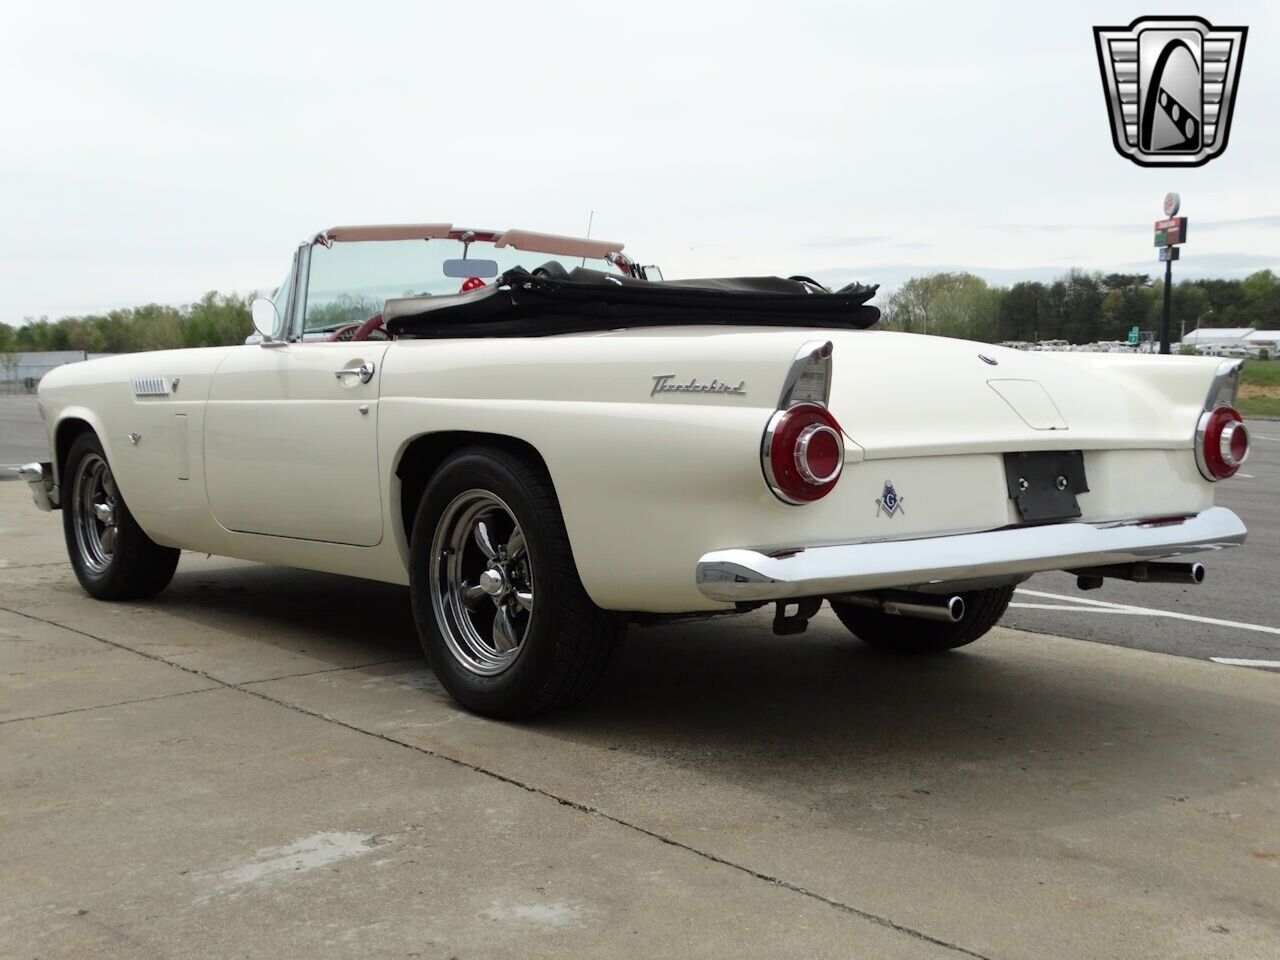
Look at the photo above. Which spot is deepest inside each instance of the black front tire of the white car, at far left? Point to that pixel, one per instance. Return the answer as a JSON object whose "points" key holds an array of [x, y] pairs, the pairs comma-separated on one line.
{"points": [[135, 566]]}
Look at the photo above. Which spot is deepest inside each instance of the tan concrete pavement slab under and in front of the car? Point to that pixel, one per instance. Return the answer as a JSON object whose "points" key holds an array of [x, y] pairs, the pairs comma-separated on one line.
{"points": [[258, 764]]}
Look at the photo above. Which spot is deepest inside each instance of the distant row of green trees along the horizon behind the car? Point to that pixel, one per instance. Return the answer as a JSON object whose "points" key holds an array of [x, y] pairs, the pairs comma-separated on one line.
{"points": [[1080, 308]]}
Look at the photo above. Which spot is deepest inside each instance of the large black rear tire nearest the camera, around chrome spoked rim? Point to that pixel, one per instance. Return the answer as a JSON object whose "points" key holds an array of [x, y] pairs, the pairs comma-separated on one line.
{"points": [[566, 639]]}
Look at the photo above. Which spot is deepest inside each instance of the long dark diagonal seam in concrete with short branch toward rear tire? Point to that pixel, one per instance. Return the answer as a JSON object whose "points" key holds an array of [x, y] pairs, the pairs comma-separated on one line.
{"points": [[532, 789]]}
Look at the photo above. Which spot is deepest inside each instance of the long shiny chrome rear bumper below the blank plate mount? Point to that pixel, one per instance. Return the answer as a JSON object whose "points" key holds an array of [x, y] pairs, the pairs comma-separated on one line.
{"points": [[822, 572]]}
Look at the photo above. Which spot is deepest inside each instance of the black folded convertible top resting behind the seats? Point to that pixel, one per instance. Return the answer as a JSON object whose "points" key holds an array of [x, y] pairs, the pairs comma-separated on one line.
{"points": [[520, 304]]}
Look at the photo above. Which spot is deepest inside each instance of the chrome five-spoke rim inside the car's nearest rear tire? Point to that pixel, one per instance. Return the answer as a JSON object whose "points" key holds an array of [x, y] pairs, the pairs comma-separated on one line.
{"points": [[482, 583]]}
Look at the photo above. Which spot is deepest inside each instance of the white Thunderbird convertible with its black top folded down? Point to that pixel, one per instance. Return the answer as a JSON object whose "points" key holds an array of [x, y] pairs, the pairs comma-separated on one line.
{"points": [[545, 444]]}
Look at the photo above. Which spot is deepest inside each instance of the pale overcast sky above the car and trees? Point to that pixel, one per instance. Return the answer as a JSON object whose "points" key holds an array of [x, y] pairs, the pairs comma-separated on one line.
{"points": [[154, 153]]}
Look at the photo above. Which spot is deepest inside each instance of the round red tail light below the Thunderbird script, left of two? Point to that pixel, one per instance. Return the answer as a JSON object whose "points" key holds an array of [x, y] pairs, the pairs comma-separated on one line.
{"points": [[803, 454]]}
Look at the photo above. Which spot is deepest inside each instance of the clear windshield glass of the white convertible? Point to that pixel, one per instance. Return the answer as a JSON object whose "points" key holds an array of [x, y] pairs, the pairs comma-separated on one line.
{"points": [[350, 282]]}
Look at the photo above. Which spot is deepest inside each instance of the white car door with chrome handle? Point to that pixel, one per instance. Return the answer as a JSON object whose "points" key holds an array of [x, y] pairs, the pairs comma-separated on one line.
{"points": [[291, 442]]}
